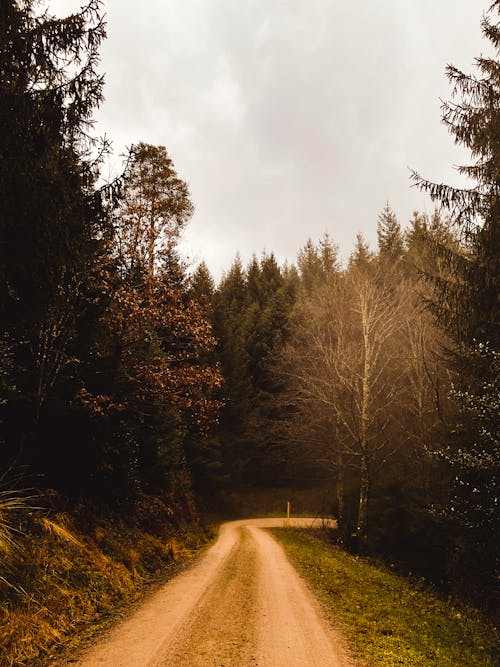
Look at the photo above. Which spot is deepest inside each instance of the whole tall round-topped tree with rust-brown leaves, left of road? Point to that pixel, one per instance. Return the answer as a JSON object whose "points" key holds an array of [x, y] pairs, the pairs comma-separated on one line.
{"points": [[158, 344]]}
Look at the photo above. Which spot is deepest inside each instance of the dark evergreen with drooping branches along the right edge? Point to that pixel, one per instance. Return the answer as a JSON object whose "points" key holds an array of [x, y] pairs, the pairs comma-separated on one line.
{"points": [[466, 304]]}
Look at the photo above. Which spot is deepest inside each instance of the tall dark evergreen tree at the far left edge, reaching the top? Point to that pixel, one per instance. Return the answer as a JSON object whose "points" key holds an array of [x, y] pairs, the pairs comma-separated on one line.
{"points": [[52, 225]]}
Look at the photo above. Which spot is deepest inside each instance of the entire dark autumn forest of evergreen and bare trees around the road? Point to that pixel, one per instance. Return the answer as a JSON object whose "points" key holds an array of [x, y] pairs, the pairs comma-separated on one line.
{"points": [[132, 382]]}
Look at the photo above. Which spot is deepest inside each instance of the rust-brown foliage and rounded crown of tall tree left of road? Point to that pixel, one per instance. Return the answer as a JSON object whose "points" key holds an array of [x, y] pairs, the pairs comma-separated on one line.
{"points": [[157, 336]]}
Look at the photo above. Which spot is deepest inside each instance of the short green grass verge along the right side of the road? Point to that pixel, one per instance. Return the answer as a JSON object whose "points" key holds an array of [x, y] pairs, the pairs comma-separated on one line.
{"points": [[388, 621]]}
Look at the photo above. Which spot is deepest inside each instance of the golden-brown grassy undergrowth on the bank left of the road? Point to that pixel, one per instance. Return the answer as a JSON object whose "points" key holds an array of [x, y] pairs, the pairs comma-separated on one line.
{"points": [[72, 570]]}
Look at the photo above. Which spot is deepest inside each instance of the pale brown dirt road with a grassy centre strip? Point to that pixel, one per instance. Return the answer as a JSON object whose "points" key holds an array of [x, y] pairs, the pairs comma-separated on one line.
{"points": [[241, 605]]}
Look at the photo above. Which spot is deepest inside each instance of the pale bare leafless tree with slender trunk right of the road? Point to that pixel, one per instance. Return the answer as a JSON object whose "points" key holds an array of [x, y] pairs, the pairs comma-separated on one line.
{"points": [[344, 361]]}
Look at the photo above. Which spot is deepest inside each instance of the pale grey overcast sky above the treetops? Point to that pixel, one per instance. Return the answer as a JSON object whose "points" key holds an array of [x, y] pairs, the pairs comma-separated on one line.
{"points": [[287, 117]]}
